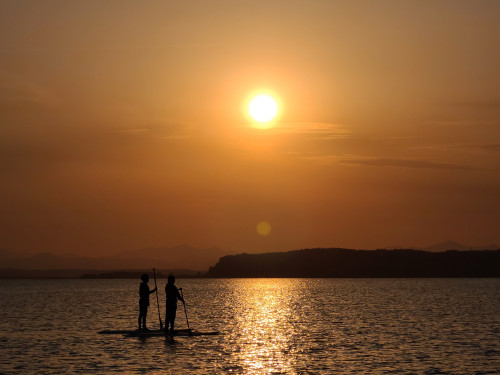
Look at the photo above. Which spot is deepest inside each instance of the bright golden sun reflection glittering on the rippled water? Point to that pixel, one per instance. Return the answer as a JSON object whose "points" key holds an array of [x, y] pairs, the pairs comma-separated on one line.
{"points": [[267, 324]]}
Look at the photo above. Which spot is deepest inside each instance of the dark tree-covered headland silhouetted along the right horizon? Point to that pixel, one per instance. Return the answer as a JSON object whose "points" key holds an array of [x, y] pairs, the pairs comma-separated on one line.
{"points": [[360, 263]]}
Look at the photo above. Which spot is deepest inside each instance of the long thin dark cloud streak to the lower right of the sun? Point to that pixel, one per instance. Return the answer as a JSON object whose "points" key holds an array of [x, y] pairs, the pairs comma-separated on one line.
{"points": [[390, 162]]}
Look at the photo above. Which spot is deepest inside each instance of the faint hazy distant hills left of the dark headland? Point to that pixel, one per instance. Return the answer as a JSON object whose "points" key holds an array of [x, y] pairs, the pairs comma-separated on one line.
{"points": [[169, 258]]}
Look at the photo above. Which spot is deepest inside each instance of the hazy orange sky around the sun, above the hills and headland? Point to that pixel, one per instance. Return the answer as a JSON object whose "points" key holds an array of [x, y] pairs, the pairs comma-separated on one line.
{"points": [[123, 124]]}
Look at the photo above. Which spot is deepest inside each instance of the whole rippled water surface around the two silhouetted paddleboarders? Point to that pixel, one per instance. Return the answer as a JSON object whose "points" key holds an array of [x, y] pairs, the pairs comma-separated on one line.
{"points": [[268, 326]]}
